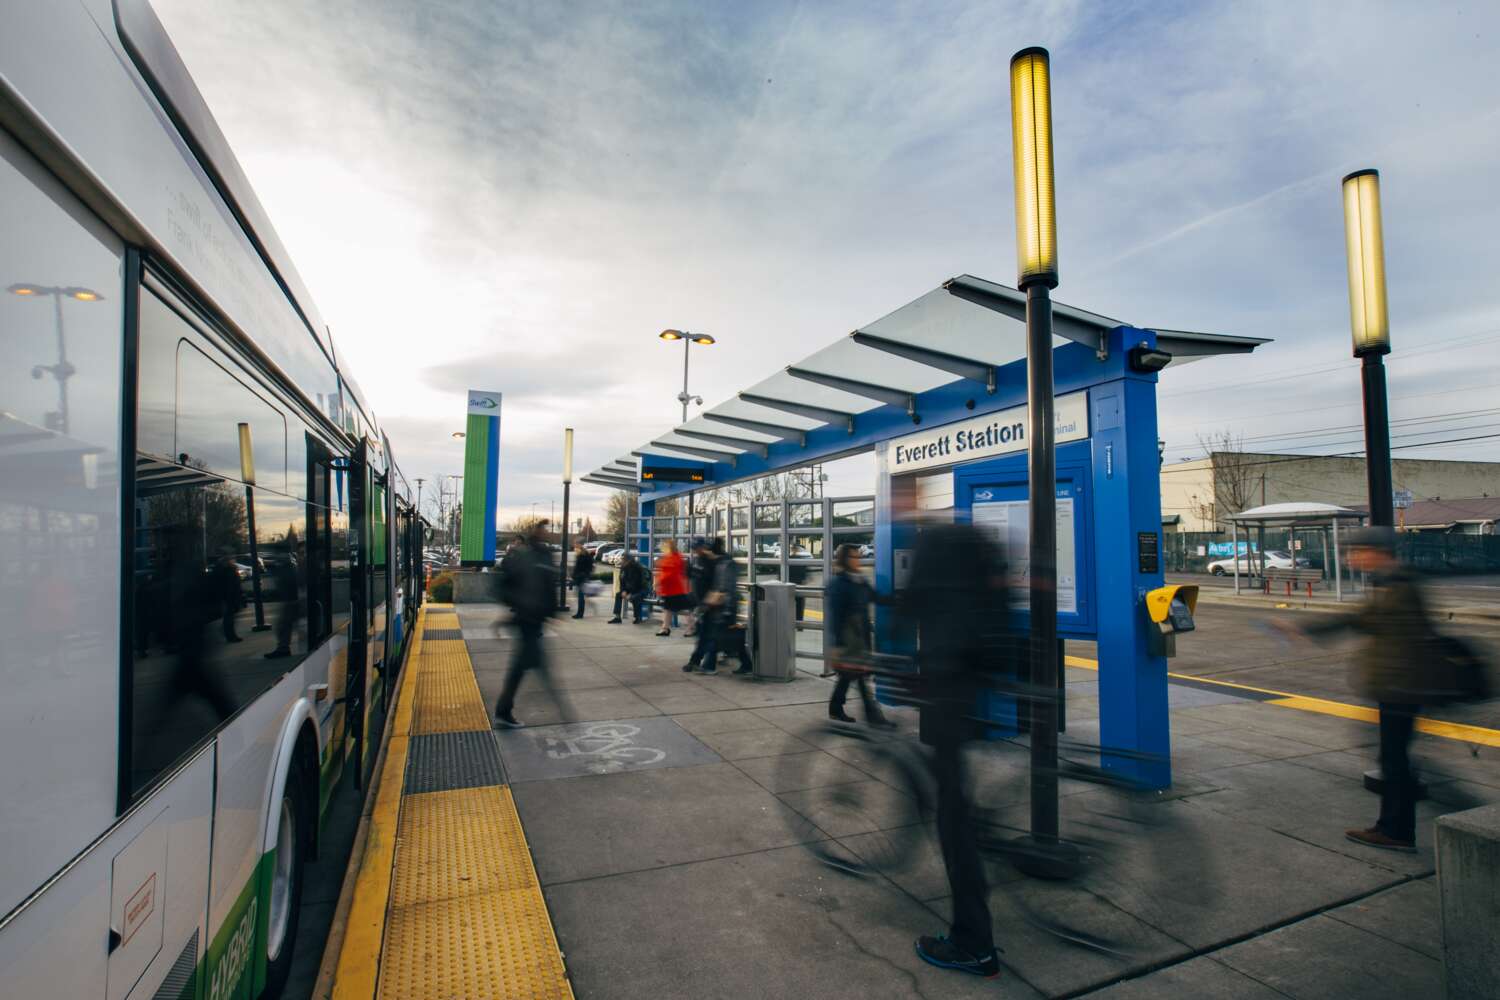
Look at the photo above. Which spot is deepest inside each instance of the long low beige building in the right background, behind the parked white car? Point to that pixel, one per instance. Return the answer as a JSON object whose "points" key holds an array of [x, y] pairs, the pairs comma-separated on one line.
{"points": [[1198, 496]]}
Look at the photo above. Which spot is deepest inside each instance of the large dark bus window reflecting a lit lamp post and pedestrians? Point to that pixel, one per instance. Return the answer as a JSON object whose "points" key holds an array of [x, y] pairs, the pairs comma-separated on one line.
{"points": [[220, 584]]}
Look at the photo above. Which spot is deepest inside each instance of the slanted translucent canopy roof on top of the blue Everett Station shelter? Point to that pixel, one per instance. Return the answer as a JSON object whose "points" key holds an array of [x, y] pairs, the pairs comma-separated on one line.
{"points": [[965, 329]]}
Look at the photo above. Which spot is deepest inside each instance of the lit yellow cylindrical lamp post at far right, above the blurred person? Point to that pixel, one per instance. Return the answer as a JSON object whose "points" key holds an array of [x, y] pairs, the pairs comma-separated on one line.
{"points": [[1370, 326]]}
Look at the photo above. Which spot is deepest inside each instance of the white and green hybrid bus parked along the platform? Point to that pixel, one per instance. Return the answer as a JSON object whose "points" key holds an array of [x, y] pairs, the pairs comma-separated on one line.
{"points": [[208, 554]]}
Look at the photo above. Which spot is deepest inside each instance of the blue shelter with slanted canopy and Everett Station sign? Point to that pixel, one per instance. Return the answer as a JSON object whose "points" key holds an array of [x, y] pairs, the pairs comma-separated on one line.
{"points": [[938, 392]]}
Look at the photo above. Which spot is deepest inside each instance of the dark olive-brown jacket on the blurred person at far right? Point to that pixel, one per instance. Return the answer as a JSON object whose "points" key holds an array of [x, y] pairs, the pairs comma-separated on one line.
{"points": [[1399, 639]]}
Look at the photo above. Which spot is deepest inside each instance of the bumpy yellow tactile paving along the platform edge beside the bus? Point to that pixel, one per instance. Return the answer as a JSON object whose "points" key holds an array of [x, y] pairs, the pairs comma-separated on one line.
{"points": [[460, 905]]}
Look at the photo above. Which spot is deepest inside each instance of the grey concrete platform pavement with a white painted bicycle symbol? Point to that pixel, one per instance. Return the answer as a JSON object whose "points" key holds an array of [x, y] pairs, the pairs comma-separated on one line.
{"points": [[670, 824]]}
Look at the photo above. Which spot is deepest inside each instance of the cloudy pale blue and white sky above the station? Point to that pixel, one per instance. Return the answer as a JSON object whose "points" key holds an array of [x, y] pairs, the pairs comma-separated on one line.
{"points": [[520, 196]]}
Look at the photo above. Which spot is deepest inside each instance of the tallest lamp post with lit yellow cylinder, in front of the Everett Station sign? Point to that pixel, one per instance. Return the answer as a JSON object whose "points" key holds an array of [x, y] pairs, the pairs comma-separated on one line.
{"points": [[1037, 275]]}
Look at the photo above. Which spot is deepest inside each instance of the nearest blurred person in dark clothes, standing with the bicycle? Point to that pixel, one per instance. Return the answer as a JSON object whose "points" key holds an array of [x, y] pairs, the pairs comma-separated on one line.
{"points": [[958, 597]]}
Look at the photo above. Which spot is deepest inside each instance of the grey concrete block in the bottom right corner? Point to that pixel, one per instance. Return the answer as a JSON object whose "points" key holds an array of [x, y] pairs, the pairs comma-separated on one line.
{"points": [[1469, 891]]}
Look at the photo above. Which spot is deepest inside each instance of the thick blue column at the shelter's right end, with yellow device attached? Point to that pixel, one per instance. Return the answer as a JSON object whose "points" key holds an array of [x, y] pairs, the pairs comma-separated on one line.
{"points": [[1127, 512]]}
